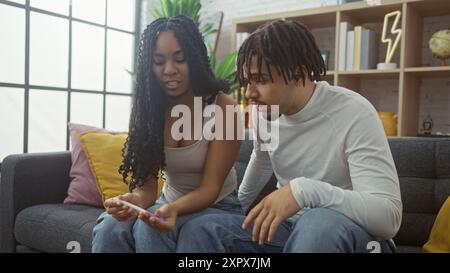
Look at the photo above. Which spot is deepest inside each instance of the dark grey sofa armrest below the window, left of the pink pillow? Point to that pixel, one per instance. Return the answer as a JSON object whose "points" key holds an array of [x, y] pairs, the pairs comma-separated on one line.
{"points": [[27, 180]]}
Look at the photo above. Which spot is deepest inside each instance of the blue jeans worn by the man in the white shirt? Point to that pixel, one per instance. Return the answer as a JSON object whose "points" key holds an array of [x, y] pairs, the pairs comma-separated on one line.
{"points": [[317, 230]]}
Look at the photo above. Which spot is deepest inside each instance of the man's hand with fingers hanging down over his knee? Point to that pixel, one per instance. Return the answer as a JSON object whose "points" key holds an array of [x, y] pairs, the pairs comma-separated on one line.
{"points": [[270, 213]]}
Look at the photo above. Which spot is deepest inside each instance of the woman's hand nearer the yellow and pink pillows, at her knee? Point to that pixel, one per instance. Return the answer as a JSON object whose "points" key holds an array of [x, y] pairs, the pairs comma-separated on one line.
{"points": [[119, 210]]}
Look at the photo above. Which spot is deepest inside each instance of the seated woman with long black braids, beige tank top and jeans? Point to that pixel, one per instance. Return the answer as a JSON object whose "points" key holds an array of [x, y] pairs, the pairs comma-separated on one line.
{"points": [[173, 71]]}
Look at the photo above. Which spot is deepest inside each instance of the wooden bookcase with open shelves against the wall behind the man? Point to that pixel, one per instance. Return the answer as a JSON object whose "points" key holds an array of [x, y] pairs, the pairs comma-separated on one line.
{"points": [[419, 20]]}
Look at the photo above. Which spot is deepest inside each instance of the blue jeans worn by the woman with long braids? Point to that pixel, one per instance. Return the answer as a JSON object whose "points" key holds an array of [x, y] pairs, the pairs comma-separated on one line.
{"points": [[133, 235]]}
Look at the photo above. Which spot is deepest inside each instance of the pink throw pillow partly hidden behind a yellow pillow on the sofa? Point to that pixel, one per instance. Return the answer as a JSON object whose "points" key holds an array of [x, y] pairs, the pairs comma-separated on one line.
{"points": [[82, 188]]}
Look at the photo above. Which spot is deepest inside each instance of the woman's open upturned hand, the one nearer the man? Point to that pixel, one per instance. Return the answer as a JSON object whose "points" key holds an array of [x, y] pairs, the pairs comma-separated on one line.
{"points": [[167, 212]]}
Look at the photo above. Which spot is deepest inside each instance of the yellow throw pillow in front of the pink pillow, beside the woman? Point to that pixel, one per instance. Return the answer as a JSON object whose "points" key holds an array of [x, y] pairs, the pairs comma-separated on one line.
{"points": [[104, 153]]}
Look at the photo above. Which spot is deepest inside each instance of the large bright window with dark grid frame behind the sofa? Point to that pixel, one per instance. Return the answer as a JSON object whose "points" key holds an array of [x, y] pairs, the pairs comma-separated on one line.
{"points": [[61, 61]]}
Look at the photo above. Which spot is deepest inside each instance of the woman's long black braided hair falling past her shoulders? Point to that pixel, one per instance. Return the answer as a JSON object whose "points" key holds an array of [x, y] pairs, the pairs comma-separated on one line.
{"points": [[143, 152]]}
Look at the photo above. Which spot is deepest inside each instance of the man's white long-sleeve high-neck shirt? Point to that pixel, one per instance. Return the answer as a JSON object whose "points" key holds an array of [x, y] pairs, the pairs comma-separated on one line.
{"points": [[334, 154]]}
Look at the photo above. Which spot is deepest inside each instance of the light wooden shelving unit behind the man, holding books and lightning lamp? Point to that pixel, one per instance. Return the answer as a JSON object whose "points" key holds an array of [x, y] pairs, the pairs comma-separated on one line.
{"points": [[410, 71]]}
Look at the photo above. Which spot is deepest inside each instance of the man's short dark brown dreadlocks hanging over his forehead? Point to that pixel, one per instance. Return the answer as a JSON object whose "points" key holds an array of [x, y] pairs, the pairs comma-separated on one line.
{"points": [[286, 45]]}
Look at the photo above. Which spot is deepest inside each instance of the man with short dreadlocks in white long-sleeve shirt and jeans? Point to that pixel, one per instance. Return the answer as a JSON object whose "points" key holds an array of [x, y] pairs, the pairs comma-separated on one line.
{"points": [[338, 188]]}
